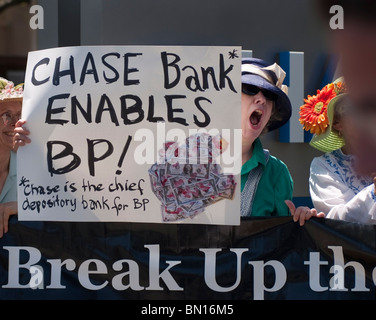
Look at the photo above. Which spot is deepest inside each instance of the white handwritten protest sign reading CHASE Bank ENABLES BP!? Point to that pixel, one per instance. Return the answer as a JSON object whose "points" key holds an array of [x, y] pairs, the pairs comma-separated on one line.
{"points": [[141, 134]]}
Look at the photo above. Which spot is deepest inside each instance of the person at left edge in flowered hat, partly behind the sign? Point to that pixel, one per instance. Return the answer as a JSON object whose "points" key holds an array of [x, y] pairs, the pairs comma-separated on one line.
{"points": [[10, 113]]}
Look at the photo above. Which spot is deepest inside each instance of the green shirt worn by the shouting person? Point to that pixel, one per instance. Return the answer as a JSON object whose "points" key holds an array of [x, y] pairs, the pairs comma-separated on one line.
{"points": [[274, 187]]}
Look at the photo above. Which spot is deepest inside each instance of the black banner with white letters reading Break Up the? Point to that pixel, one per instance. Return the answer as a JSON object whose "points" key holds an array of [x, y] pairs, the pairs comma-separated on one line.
{"points": [[262, 259]]}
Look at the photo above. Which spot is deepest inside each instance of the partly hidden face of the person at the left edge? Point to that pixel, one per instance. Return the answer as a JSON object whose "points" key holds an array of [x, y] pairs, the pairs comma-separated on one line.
{"points": [[10, 113]]}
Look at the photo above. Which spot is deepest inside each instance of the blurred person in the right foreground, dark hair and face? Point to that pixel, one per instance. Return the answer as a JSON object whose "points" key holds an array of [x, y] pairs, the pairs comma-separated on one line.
{"points": [[355, 44]]}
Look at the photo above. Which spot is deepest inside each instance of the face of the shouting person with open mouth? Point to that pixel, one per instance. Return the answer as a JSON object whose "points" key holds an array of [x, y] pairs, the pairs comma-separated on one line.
{"points": [[255, 112]]}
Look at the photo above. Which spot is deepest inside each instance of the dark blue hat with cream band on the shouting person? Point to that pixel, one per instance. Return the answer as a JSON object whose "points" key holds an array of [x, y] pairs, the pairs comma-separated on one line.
{"points": [[259, 73]]}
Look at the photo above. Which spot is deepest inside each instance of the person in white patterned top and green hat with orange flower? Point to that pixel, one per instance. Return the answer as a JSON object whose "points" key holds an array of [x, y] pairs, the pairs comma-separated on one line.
{"points": [[337, 190]]}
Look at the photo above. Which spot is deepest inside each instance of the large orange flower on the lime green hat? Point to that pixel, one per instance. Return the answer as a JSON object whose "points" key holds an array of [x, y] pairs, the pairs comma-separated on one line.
{"points": [[313, 114]]}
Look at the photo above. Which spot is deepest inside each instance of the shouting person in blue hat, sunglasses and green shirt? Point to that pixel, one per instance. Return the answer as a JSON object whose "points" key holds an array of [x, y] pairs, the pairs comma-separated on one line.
{"points": [[265, 180]]}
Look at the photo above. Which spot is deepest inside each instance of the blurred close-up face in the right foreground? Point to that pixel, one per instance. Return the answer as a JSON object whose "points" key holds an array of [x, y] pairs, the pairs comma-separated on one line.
{"points": [[356, 45]]}
